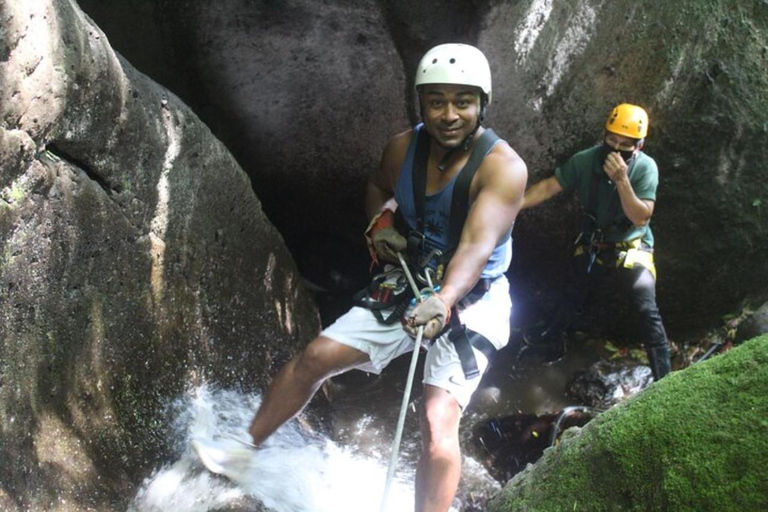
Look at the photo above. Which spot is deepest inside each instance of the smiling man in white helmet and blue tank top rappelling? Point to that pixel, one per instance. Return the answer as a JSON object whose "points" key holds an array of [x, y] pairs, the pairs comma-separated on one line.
{"points": [[468, 319]]}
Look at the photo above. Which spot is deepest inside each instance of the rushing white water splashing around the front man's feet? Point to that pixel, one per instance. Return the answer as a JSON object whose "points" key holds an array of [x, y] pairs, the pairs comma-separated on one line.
{"points": [[292, 472]]}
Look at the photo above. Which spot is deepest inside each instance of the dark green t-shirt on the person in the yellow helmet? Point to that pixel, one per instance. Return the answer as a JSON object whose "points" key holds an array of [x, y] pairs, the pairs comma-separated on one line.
{"points": [[576, 174]]}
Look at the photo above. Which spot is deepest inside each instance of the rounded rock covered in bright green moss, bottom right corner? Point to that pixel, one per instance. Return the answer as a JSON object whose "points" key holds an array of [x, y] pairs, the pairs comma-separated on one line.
{"points": [[697, 440]]}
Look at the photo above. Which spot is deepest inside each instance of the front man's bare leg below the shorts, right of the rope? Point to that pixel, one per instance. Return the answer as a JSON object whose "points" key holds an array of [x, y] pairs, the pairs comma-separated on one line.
{"points": [[439, 469]]}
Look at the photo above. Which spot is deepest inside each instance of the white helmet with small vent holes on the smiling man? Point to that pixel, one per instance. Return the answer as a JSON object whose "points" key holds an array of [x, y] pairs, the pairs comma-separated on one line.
{"points": [[455, 64]]}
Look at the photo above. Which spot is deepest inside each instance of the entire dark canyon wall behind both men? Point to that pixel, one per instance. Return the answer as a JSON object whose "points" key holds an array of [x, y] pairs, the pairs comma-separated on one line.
{"points": [[306, 93]]}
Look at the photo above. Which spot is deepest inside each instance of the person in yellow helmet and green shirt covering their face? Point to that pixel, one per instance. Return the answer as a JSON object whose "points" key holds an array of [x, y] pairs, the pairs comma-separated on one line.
{"points": [[616, 185]]}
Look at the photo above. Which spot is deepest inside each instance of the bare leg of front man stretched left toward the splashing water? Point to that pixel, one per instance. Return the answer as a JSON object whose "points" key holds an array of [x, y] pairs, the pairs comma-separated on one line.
{"points": [[298, 381]]}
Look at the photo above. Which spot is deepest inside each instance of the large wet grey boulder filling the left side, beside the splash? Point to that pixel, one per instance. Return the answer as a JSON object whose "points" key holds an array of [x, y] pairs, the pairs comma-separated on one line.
{"points": [[135, 261]]}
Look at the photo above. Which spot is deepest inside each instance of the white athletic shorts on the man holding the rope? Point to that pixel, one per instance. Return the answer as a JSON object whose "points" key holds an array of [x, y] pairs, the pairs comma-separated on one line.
{"points": [[489, 316]]}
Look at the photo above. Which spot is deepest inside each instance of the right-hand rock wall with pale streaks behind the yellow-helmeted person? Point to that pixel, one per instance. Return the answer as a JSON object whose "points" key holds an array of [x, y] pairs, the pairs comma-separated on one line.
{"points": [[559, 66]]}
